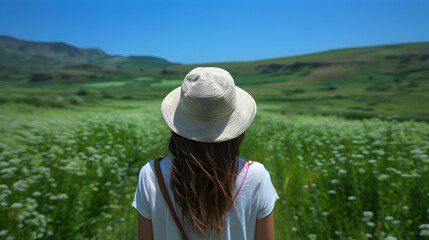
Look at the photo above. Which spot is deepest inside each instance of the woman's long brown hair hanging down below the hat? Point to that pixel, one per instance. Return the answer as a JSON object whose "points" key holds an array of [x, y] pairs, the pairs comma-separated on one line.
{"points": [[202, 180]]}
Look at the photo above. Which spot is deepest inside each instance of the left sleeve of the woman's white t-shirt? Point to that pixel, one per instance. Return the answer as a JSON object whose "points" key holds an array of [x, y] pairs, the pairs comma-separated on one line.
{"points": [[141, 197]]}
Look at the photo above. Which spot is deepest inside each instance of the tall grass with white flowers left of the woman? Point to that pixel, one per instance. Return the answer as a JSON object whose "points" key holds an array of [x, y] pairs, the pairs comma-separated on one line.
{"points": [[74, 178]]}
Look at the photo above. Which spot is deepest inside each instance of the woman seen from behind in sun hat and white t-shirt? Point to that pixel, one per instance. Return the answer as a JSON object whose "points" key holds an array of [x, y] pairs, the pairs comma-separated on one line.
{"points": [[214, 194]]}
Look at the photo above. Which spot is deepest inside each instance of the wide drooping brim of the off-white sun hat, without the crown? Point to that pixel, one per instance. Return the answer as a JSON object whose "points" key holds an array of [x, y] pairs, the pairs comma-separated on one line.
{"points": [[219, 130]]}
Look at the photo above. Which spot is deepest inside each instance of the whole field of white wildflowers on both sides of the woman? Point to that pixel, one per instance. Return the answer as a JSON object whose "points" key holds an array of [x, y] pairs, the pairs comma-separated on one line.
{"points": [[72, 174]]}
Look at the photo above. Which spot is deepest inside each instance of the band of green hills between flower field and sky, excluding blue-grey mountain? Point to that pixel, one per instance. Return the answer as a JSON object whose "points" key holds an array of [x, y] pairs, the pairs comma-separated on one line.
{"points": [[353, 83]]}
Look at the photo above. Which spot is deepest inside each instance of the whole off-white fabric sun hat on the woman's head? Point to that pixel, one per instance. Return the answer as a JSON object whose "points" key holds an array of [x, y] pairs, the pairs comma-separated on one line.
{"points": [[208, 107]]}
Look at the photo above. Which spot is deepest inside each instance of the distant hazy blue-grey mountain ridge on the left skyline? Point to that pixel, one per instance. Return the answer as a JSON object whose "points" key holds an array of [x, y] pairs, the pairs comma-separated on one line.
{"points": [[16, 52]]}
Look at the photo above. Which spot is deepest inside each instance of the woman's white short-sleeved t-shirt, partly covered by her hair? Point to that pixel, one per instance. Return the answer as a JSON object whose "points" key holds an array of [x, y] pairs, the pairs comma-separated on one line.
{"points": [[255, 200]]}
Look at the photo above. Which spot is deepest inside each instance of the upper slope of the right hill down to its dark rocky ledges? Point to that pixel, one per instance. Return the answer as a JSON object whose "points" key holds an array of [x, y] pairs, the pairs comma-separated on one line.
{"points": [[343, 63]]}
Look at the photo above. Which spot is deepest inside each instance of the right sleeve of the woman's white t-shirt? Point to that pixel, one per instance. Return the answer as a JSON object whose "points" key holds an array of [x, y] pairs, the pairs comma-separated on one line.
{"points": [[267, 196]]}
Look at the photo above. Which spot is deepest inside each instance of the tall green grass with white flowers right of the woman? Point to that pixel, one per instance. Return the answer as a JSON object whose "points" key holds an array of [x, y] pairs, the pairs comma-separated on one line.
{"points": [[344, 179]]}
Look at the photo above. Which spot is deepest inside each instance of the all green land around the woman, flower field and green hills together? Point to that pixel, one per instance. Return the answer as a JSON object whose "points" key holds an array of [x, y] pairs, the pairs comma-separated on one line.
{"points": [[344, 134]]}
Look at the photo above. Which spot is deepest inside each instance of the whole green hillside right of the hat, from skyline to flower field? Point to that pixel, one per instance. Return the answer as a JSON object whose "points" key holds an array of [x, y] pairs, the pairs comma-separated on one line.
{"points": [[357, 82]]}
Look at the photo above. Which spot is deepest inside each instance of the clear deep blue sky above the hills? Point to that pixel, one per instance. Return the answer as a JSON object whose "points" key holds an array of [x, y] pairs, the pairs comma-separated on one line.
{"points": [[218, 30]]}
